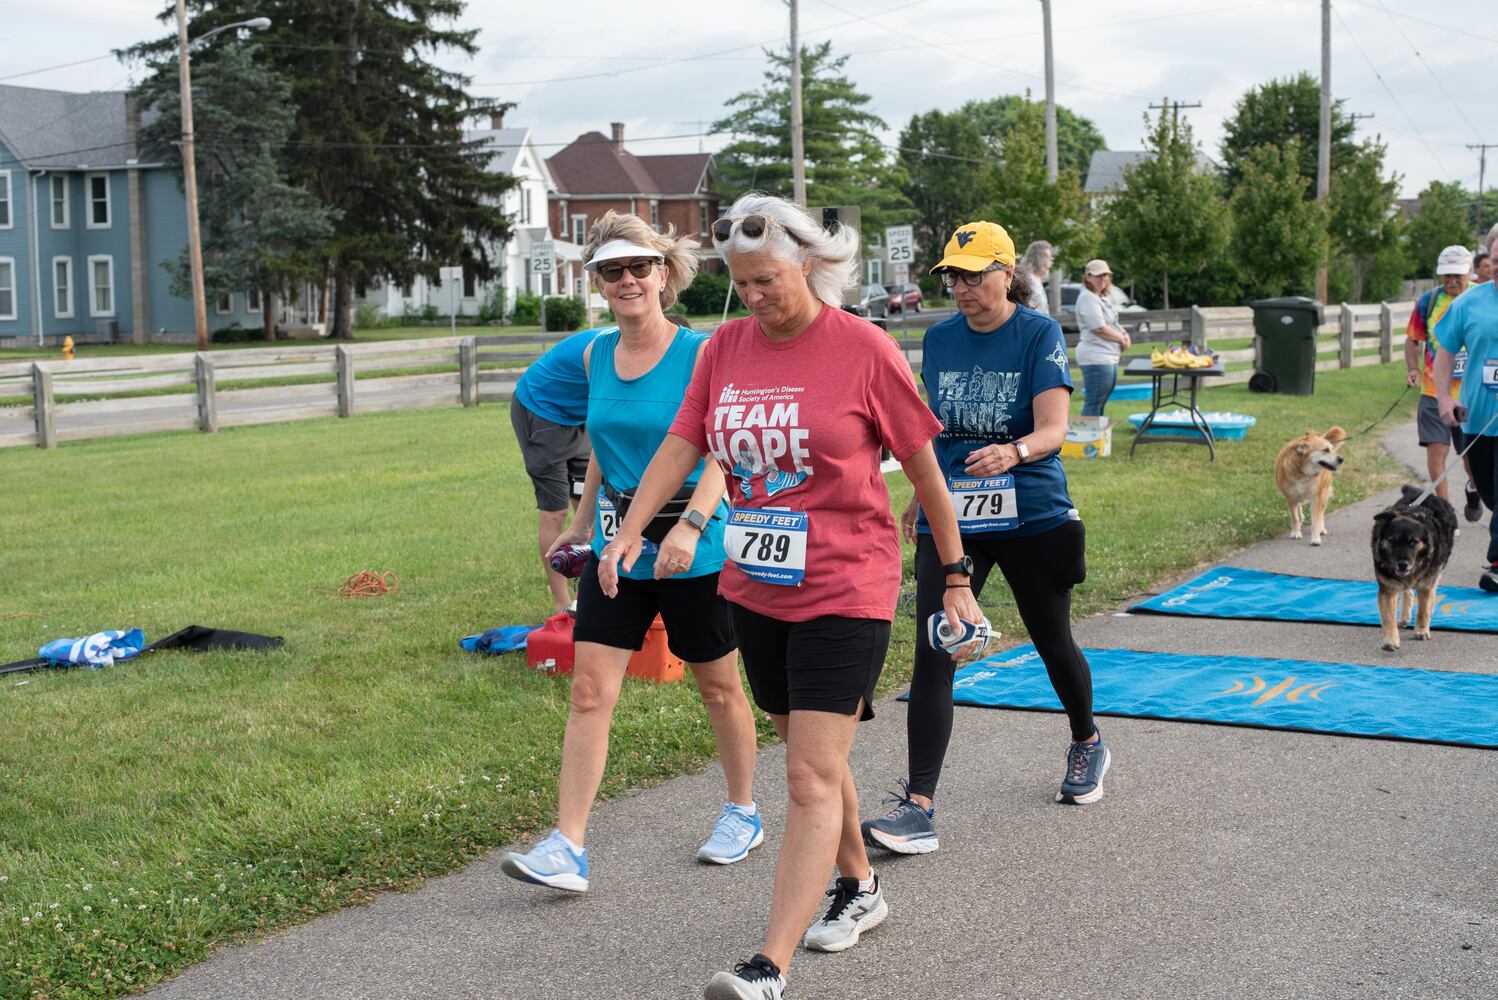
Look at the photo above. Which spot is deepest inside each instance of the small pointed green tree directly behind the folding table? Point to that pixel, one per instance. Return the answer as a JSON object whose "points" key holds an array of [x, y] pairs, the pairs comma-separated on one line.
{"points": [[1169, 222]]}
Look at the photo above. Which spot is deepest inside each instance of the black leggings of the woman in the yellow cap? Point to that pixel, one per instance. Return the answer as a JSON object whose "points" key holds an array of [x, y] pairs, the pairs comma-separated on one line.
{"points": [[1042, 570]]}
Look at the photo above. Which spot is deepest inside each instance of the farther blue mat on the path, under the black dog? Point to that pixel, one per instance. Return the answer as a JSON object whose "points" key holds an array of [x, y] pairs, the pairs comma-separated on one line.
{"points": [[1229, 592]]}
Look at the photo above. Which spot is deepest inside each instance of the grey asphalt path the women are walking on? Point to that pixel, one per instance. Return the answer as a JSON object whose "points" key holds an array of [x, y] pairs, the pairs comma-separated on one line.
{"points": [[1223, 863]]}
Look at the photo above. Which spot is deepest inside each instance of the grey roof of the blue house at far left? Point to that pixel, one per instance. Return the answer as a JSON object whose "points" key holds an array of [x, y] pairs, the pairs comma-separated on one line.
{"points": [[59, 129]]}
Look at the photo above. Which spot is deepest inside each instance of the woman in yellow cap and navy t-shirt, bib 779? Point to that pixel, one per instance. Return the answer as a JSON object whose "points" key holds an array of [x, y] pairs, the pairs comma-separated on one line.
{"points": [[998, 379]]}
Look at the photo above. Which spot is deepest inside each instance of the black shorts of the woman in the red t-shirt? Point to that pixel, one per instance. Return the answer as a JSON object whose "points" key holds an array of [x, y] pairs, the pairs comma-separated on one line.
{"points": [[828, 664]]}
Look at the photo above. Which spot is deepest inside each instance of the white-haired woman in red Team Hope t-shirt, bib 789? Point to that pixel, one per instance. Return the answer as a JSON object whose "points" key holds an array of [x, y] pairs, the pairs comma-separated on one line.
{"points": [[796, 403]]}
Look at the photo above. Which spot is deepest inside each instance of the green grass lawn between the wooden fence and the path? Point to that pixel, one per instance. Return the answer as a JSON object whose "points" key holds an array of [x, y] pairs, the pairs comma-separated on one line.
{"points": [[164, 806]]}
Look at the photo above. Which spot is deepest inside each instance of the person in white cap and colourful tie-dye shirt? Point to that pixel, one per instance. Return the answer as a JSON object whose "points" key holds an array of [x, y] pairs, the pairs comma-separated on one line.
{"points": [[1454, 267]]}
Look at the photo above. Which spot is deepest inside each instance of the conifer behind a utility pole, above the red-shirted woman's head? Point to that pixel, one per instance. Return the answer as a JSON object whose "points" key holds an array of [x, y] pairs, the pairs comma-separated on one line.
{"points": [[846, 162]]}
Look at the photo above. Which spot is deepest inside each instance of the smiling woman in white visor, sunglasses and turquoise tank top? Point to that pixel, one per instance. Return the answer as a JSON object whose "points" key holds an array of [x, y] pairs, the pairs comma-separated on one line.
{"points": [[637, 375]]}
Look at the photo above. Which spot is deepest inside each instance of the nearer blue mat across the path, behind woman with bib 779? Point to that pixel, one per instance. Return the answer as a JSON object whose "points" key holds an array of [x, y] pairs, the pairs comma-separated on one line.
{"points": [[1386, 703]]}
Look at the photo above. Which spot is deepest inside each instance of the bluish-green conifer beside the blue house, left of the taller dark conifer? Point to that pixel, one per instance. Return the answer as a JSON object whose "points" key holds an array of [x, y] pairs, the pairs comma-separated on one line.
{"points": [[258, 230]]}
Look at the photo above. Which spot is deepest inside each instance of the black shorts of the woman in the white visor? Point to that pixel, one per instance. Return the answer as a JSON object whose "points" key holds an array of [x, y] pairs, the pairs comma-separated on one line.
{"points": [[697, 624]]}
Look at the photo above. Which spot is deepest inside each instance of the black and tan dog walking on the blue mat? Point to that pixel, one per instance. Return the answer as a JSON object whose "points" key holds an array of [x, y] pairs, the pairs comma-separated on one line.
{"points": [[1412, 546]]}
